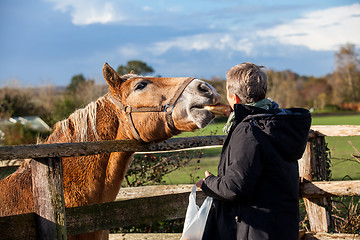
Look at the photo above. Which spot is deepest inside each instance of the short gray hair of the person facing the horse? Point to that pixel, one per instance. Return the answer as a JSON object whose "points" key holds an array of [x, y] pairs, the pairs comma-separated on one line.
{"points": [[247, 81]]}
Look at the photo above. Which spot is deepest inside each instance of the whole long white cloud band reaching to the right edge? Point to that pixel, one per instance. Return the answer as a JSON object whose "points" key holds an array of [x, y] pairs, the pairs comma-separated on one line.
{"points": [[318, 30]]}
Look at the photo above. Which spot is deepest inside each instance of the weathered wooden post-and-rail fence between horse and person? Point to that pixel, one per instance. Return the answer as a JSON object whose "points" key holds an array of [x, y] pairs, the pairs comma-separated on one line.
{"points": [[146, 204]]}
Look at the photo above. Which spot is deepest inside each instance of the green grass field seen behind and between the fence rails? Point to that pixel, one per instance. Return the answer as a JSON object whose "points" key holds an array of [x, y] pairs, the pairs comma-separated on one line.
{"points": [[340, 151]]}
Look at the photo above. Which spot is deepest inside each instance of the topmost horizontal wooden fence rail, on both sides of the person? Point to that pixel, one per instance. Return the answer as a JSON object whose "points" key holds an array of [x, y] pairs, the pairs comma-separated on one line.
{"points": [[19, 152]]}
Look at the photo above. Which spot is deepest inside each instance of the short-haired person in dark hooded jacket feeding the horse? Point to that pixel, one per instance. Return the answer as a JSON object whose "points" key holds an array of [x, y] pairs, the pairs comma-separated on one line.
{"points": [[256, 192]]}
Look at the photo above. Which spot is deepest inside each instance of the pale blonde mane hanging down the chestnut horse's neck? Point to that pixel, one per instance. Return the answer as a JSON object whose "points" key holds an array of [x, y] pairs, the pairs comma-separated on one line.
{"points": [[83, 121]]}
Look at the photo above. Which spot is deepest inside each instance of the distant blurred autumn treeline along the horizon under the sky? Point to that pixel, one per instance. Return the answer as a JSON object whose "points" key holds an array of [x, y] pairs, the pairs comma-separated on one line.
{"points": [[285, 87]]}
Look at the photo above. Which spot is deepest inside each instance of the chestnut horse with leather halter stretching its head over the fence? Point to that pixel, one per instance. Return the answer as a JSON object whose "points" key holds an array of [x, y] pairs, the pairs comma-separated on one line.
{"points": [[144, 108]]}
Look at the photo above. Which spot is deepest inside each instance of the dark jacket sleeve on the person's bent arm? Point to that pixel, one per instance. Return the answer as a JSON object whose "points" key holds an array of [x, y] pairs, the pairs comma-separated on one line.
{"points": [[242, 171]]}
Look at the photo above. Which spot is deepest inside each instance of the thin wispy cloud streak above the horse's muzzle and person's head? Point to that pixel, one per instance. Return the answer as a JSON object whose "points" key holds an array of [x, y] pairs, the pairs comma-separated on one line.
{"points": [[210, 41]]}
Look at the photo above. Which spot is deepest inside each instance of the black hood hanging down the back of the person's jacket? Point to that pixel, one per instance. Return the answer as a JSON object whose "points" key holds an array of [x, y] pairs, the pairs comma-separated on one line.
{"points": [[286, 129]]}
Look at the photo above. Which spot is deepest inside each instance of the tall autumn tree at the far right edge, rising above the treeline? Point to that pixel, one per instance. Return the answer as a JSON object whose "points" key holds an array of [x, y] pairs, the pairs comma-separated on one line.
{"points": [[346, 78]]}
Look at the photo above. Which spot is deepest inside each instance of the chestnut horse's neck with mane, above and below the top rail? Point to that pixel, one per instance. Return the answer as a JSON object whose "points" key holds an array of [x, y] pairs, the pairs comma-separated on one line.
{"points": [[100, 122]]}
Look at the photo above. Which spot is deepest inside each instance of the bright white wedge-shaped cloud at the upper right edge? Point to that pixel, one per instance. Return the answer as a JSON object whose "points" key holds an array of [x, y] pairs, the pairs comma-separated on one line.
{"points": [[320, 30]]}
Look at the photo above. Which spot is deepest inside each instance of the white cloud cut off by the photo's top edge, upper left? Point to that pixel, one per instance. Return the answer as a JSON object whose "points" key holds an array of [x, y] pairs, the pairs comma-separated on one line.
{"points": [[85, 12]]}
